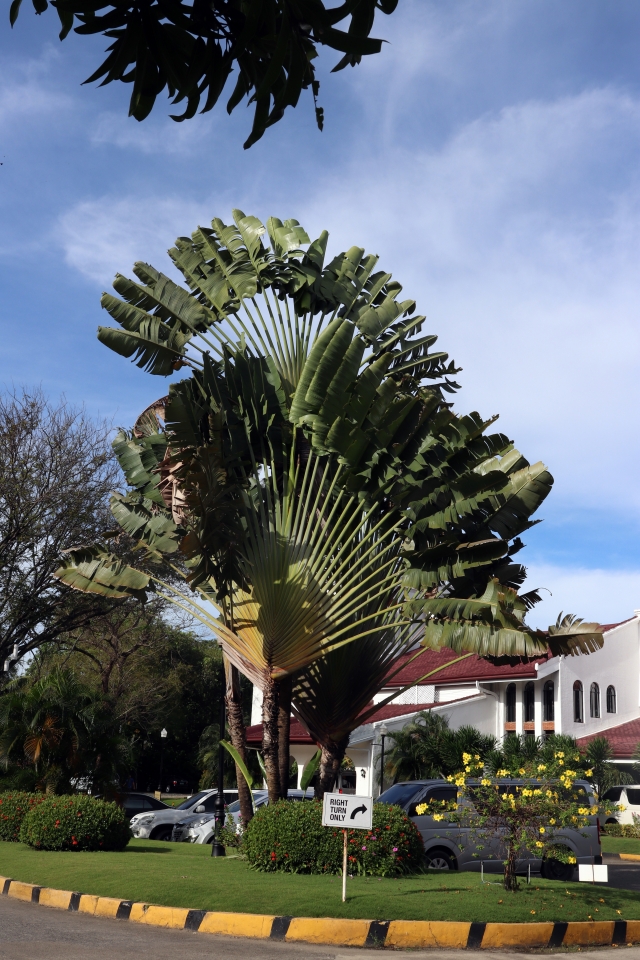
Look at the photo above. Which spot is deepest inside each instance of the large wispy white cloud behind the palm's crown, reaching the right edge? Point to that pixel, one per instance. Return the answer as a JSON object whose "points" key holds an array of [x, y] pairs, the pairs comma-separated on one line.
{"points": [[519, 238]]}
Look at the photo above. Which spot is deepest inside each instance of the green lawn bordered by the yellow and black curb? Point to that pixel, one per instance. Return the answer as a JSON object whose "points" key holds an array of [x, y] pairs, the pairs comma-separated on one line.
{"points": [[183, 875]]}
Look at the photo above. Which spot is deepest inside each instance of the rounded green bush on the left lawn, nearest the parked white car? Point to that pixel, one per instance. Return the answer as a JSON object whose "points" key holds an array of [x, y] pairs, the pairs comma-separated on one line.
{"points": [[76, 823]]}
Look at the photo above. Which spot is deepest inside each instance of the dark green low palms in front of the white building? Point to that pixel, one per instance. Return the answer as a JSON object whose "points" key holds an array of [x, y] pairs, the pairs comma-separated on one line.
{"points": [[426, 748]]}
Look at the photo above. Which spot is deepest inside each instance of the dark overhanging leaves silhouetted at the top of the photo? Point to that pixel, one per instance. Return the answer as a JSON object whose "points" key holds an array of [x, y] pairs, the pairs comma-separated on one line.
{"points": [[192, 49]]}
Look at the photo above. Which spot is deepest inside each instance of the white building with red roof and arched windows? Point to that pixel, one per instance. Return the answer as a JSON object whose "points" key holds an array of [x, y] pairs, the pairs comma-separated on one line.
{"points": [[583, 696]]}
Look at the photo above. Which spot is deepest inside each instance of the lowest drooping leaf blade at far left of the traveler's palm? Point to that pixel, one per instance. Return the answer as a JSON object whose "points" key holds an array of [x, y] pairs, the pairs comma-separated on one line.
{"points": [[95, 570]]}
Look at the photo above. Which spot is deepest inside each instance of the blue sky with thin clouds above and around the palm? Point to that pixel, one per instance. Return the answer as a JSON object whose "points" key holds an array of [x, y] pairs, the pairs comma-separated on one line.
{"points": [[489, 155]]}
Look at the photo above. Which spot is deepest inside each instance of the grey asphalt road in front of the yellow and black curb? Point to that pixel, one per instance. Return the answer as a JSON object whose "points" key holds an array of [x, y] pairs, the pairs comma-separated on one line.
{"points": [[33, 932]]}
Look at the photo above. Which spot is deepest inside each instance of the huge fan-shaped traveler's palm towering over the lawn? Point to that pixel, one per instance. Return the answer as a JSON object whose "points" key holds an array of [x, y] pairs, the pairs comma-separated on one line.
{"points": [[309, 479]]}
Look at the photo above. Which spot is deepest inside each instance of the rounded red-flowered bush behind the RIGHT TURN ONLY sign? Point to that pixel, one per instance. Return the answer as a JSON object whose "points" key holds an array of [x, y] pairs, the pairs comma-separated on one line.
{"points": [[290, 836]]}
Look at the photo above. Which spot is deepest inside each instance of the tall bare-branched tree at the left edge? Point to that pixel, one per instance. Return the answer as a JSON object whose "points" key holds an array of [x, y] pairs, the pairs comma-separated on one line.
{"points": [[56, 472]]}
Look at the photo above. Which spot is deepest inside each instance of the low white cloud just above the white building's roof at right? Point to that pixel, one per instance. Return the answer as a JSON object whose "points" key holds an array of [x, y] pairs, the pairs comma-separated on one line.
{"points": [[600, 596]]}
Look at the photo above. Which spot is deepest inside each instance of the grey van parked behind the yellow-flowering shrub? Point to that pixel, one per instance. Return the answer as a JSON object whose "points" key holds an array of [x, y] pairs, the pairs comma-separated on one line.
{"points": [[454, 846]]}
